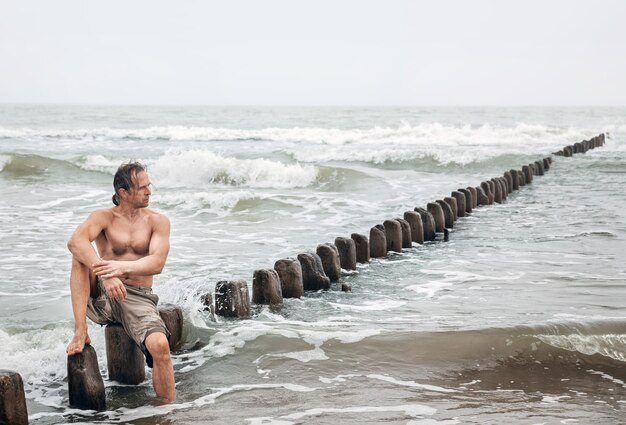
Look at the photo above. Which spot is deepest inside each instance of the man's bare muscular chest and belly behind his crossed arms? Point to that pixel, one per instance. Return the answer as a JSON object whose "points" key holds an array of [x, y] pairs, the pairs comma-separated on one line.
{"points": [[127, 239]]}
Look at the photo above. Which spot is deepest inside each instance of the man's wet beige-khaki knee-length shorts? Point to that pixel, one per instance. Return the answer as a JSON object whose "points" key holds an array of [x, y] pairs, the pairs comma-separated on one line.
{"points": [[137, 313]]}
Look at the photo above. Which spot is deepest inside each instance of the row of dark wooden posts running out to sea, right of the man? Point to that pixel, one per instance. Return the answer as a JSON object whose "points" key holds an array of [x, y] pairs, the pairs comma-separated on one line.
{"points": [[320, 268]]}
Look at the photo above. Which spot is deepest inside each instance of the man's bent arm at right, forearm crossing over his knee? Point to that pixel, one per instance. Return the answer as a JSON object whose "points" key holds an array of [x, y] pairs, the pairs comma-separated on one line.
{"points": [[149, 265]]}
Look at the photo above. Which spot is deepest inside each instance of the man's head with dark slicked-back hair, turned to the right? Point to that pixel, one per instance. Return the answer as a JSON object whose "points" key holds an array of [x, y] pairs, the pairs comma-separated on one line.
{"points": [[131, 183]]}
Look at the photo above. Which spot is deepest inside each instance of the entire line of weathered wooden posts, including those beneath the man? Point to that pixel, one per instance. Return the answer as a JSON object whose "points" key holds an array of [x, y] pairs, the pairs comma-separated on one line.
{"points": [[290, 278]]}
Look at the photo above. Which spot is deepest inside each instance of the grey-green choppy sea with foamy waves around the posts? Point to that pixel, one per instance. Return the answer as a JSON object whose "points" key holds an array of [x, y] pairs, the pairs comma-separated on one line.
{"points": [[519, 318]]}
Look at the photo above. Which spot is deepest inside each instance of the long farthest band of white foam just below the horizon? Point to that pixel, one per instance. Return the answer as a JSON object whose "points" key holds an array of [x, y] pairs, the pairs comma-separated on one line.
{"points": [[424, 133]]}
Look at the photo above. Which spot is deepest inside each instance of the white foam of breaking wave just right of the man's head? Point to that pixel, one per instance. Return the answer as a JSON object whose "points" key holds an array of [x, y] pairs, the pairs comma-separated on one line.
{"points": [[197, 168]]}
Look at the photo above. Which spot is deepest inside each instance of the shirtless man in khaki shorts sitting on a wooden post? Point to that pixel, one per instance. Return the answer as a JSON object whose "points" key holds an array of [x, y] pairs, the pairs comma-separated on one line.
{"points": [[113, 283]]}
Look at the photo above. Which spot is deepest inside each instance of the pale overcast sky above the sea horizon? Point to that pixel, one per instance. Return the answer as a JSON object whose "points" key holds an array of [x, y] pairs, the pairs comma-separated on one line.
{"points": [[290, 52]]}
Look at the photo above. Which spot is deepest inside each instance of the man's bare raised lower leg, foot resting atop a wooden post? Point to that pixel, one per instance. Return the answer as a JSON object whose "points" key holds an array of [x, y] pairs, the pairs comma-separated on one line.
{"points": [[82, 284]]}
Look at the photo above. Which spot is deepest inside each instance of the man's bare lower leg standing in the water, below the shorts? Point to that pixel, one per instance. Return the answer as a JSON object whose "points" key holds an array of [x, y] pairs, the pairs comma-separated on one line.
{"points": [[162, 371]]}
